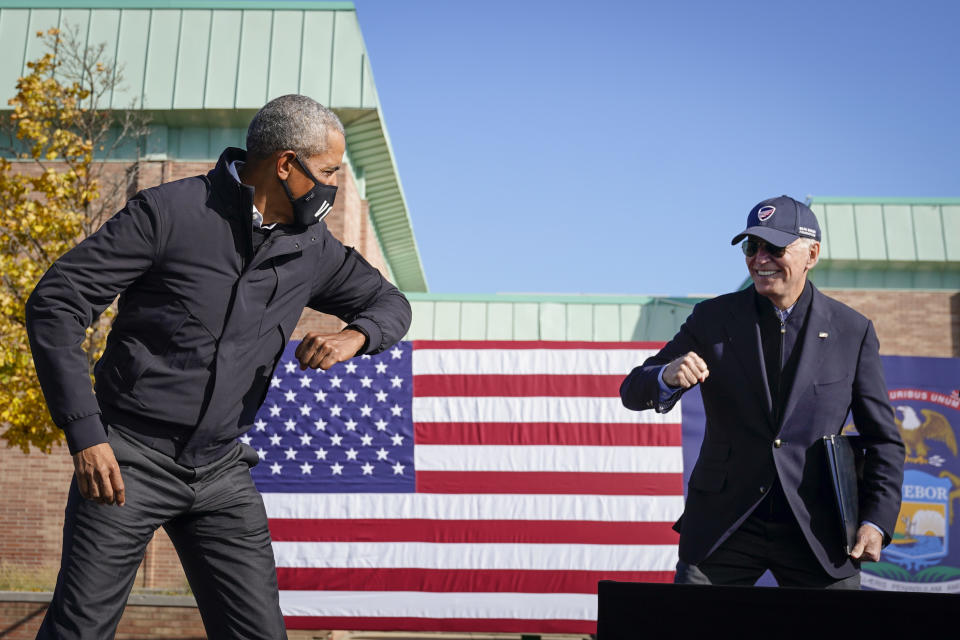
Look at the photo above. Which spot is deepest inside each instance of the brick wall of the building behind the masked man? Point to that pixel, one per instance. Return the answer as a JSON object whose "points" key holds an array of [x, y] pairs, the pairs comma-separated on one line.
{"points": [[34, 486]]}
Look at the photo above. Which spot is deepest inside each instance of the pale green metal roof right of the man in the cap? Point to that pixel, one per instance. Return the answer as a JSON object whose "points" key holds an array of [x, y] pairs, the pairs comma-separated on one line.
{"points": [[901, 243]]}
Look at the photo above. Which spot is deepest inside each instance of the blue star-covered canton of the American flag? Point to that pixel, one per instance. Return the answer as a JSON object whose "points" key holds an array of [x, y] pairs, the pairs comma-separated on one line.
{"points": [[349, 430]]}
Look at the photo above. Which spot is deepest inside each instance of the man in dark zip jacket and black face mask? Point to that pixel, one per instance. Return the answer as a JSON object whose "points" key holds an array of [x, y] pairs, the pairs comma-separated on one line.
{"points": [[213, 273]]}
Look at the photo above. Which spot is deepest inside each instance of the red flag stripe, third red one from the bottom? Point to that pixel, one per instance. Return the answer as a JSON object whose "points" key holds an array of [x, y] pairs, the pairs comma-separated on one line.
{"points": [[472, 531]]}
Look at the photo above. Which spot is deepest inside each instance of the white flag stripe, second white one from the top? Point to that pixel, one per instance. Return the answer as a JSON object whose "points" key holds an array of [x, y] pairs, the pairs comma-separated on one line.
{"points": [[536, 409]]}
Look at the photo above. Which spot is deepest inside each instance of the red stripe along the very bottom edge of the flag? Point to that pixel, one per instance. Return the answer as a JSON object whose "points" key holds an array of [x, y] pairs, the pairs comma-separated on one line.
{"points": [[501, 625]]}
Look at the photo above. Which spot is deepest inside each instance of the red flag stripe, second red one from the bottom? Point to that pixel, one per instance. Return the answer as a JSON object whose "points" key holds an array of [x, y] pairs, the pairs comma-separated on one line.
{"points": [[456, 581]]}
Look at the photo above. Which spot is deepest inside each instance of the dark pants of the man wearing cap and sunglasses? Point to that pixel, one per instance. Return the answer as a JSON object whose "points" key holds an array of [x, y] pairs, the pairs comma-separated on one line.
{"points": [[759, 545]]}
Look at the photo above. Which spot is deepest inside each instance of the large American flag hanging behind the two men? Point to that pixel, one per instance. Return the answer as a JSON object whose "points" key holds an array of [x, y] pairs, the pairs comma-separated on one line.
{"points": [[465, 486]]}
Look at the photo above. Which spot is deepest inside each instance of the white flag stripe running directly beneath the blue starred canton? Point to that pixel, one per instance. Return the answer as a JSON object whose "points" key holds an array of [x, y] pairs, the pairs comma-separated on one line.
{"points": [[395, 506]]}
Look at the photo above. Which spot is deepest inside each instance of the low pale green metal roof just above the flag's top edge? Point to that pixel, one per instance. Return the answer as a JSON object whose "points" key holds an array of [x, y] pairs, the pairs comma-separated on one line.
{"points": [[546, 317]]}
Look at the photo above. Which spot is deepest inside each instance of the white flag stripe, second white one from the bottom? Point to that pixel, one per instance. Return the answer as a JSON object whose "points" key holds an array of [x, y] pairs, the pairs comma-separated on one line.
{"points": [[435, 555]]}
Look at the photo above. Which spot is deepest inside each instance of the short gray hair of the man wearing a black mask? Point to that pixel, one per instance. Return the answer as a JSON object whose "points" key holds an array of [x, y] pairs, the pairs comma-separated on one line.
{"points": [[293, 122]]}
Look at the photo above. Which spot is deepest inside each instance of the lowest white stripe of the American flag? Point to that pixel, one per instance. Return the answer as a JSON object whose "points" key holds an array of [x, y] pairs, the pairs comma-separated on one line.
{"points": [[413, 604]]}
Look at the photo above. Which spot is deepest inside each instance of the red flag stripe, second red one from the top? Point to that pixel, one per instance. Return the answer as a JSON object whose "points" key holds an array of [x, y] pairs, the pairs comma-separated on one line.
{"points": [[518, 386]]}
